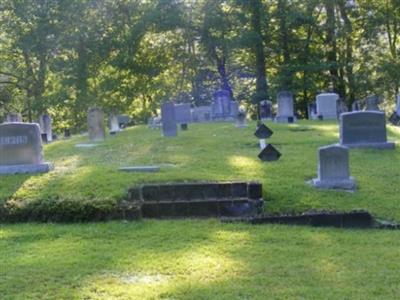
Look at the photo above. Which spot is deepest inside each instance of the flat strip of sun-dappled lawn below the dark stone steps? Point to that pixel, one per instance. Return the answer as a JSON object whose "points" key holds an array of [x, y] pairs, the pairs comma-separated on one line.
{"points": [[197, 260]]}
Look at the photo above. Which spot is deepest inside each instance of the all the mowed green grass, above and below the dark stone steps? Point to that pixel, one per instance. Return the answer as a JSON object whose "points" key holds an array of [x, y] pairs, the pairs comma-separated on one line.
{"points": [[201, 259]]}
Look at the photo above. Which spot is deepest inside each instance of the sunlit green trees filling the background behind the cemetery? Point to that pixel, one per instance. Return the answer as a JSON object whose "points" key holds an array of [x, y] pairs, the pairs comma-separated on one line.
{"points": [[128, 56]]}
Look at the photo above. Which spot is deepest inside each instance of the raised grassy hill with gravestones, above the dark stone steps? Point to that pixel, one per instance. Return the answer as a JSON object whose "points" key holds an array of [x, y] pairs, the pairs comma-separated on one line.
{"points": [[87, 180]]}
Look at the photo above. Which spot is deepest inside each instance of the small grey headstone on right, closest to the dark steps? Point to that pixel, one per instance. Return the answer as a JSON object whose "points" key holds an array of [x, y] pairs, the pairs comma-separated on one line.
{"points": [[333, 168]]}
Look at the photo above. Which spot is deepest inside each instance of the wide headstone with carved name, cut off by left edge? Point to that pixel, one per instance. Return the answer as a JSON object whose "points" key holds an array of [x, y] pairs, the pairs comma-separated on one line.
{"points": [[21, 149]]}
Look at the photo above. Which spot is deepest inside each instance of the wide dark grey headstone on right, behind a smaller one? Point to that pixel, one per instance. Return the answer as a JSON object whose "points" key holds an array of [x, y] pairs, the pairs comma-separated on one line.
{"points": [[364, 129]]}
